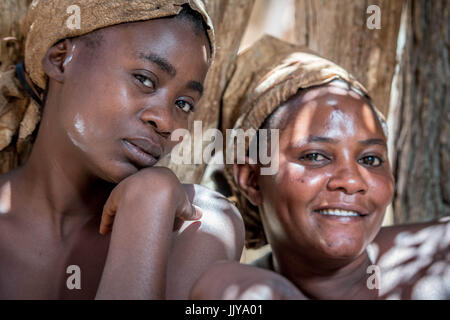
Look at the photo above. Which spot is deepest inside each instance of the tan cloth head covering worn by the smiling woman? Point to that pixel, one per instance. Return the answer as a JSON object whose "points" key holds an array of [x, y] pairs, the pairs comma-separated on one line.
{"points": [[266, 75]]}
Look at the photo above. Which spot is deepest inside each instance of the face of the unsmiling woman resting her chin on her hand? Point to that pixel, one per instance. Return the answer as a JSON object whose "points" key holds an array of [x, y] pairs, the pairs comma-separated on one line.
{"points": [[120, 101]]}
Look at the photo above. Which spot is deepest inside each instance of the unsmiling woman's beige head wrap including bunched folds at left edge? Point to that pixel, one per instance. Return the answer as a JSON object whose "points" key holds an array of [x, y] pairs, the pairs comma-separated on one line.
{"points": [[46, 23]]}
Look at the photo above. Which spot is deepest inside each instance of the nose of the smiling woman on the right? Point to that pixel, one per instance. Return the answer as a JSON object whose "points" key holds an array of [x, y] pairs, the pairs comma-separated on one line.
{"points": [[348, 179]]}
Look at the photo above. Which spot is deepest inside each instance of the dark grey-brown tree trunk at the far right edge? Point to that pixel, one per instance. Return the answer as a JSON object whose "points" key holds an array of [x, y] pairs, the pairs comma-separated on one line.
{"points": [[422, 117]]}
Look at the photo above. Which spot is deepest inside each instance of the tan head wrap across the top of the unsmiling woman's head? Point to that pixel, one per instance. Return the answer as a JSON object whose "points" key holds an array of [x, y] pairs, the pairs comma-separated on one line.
{"points": [[48, 22]]}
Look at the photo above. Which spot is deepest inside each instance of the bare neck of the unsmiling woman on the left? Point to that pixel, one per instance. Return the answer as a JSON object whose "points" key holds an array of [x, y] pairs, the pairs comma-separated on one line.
{"points": [[54, 186]]}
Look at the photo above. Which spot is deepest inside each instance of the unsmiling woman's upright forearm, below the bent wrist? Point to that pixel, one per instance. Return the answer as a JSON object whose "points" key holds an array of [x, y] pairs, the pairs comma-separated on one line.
{"points": [[137, 258]]}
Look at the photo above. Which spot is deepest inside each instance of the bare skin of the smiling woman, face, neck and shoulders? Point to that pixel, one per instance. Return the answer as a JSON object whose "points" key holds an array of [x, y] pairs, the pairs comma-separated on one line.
{"points": [[332, 156]]}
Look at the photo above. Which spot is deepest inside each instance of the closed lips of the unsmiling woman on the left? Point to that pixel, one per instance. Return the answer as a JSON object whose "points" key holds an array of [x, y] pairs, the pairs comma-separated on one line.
{"points": [[142, 152]]}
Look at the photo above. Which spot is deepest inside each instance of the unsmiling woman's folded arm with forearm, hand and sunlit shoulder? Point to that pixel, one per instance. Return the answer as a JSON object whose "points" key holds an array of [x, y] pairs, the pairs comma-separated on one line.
{"points": [[146, 258]]}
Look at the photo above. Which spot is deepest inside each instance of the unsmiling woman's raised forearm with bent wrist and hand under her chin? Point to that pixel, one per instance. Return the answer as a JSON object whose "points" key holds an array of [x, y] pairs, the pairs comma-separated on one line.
{"points": [[143, 208]]}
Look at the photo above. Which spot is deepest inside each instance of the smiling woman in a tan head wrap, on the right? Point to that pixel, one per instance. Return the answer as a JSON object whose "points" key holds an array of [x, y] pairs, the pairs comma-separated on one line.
{"points": [[322, 211]]}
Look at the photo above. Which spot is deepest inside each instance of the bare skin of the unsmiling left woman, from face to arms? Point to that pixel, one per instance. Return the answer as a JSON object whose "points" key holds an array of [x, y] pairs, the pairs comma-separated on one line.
{"points": [[107, 120]]}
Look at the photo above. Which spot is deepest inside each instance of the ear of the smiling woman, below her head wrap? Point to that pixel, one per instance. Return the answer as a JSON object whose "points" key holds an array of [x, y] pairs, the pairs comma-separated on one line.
{"points": [[246, 177]]}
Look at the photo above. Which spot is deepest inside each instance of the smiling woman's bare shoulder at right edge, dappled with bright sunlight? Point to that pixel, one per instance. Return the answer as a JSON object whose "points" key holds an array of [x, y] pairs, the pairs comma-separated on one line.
{"points": [[414, 260]]}
